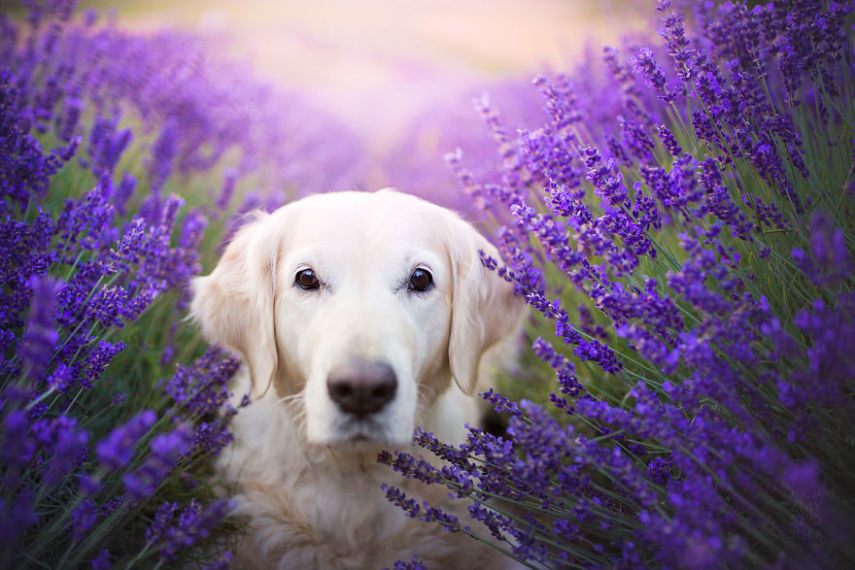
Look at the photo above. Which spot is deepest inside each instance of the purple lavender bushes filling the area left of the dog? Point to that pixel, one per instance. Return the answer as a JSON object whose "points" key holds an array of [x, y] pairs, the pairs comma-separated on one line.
{"points": [[110, 407]]}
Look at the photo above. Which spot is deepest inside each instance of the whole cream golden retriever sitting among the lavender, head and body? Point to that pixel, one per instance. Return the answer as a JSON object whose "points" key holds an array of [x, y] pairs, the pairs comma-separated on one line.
{"points": [[358, 316]]}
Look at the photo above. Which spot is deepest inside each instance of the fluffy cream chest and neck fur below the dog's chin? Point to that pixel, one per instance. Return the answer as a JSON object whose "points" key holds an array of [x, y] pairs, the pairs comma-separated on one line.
{"points": [[303, 502]]}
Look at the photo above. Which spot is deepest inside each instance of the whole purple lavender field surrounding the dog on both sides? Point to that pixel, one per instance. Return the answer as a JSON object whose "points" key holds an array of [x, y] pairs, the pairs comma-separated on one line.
{"points": [[677, 210]]}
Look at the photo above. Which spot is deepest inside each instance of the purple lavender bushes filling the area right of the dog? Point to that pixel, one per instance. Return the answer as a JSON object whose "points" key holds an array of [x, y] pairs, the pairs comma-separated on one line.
{"points": [[686, 240]]}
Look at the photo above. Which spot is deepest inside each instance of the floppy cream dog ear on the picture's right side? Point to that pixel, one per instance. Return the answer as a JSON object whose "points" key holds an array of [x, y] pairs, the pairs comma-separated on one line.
{"points": [[484, 309]]}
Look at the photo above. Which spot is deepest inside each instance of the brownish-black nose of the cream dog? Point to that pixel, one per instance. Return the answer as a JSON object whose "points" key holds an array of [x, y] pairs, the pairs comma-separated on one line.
{"points": [[361, 387]]}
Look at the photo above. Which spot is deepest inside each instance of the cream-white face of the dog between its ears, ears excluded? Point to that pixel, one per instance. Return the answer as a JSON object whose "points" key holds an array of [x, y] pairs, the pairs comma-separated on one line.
{"points": [[363, 310]]}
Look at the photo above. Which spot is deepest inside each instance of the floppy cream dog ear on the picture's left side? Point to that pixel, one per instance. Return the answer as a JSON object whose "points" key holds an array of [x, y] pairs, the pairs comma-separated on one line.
{"points": [[234, 305]]}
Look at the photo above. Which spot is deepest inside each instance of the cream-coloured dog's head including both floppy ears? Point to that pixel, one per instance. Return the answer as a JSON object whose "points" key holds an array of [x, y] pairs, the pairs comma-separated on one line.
{"points": [[358, 308]]}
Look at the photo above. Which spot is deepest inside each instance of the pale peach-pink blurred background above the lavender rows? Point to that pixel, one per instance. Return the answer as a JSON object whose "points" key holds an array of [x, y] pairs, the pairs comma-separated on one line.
{"points": [[379, 64]]}
